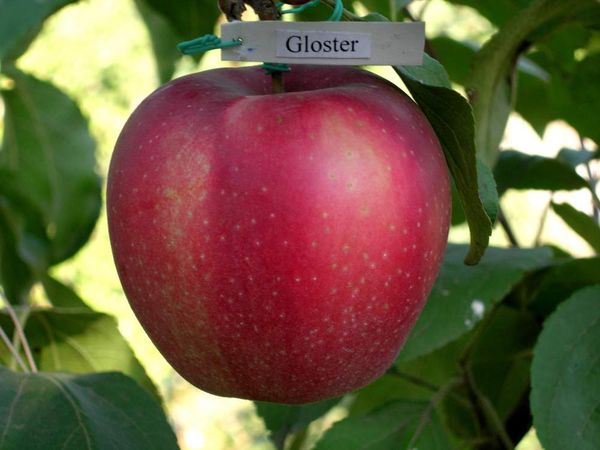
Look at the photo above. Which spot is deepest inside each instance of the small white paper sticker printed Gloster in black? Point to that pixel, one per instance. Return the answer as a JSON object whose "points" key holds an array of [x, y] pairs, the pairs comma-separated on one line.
{"points": [[322, 44]]}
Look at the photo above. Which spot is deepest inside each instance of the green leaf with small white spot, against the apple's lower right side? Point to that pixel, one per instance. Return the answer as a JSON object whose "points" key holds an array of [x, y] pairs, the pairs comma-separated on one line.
{"points": [[463, 295]]}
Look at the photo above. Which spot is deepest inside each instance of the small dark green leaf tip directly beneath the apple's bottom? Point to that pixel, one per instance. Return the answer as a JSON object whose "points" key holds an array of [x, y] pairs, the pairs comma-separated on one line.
{"points": [[282, 420]]}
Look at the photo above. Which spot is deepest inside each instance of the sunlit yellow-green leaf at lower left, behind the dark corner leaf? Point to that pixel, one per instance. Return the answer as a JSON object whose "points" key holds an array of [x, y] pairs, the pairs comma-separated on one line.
{"points": [[78, 341]]}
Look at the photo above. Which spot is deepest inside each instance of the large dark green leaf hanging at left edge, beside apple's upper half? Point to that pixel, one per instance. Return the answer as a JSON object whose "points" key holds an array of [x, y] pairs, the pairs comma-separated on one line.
{"points": [[48, 157]]}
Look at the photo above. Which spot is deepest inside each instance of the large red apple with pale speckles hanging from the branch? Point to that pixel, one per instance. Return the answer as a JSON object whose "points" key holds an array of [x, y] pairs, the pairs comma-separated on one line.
{"points": [[278, 247]]}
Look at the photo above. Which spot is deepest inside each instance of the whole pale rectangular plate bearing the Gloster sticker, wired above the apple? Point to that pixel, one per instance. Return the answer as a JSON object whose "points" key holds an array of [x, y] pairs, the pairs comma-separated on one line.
{"points": [[338, 43]]}
